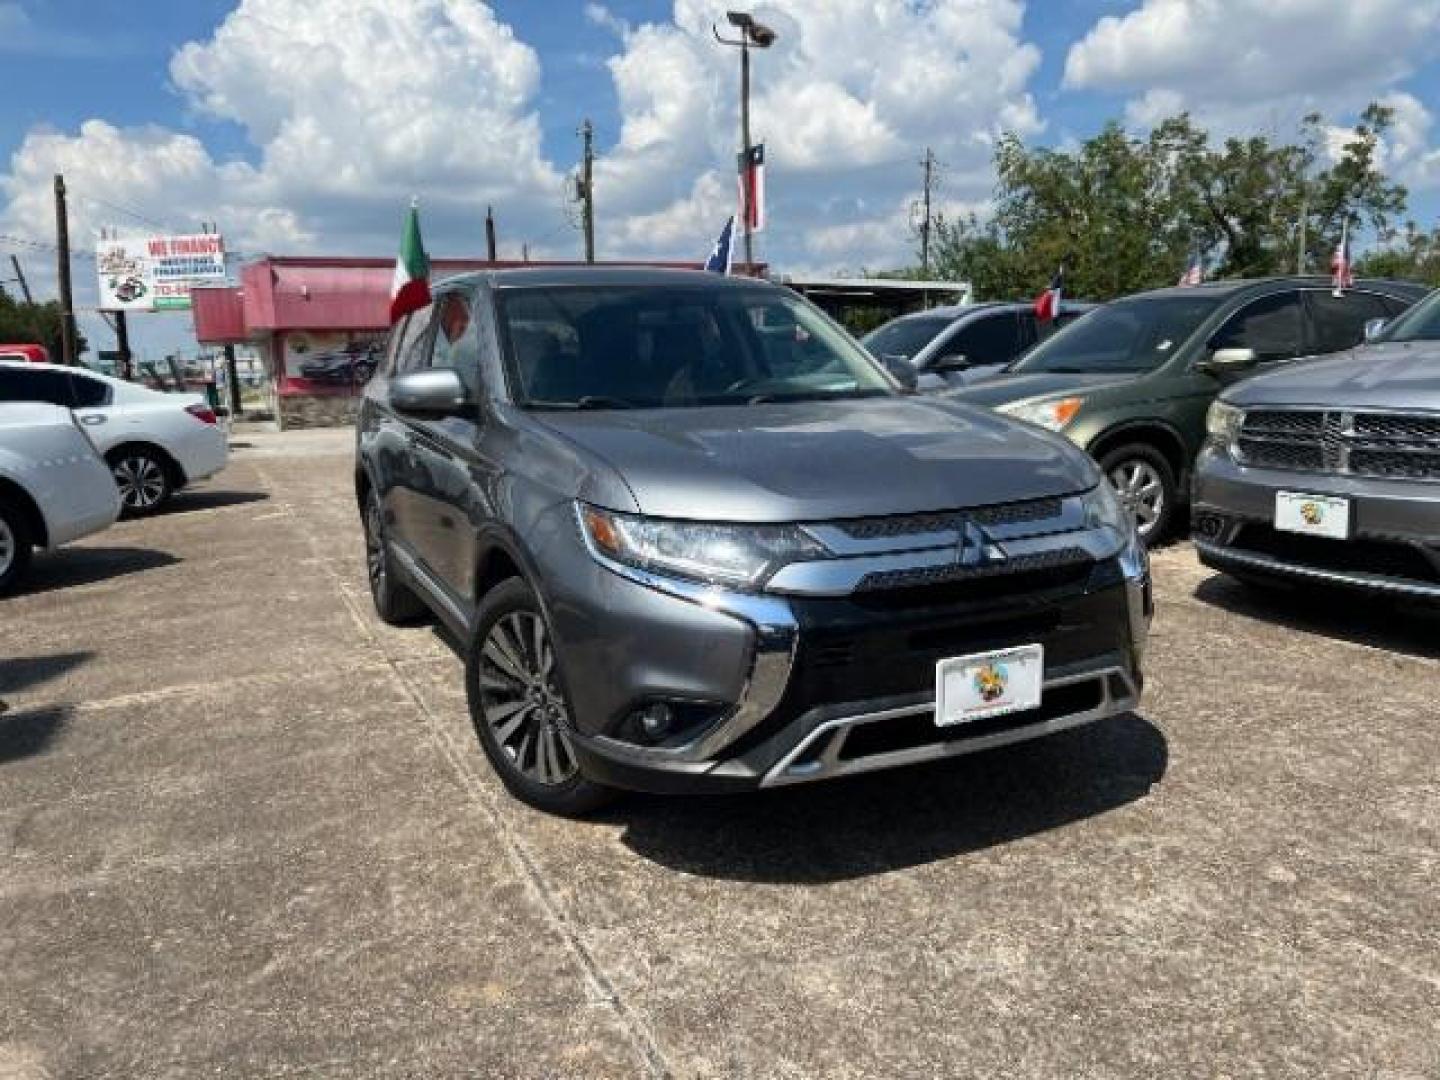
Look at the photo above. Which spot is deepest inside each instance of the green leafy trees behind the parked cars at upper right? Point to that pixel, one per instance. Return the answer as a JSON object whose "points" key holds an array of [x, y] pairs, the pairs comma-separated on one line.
{"points": [[1124, 214]]}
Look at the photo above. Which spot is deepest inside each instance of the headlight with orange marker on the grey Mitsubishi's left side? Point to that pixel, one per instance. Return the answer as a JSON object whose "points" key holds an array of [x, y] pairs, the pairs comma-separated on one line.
{"points": [[744, 557]]}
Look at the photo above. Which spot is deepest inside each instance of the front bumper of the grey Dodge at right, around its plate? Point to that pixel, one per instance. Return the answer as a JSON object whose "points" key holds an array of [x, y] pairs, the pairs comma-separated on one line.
{"points": [[1395, 546]]}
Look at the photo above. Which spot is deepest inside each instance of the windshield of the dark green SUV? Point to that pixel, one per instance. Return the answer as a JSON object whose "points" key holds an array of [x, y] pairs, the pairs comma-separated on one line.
{"points": [[1127, 336]]}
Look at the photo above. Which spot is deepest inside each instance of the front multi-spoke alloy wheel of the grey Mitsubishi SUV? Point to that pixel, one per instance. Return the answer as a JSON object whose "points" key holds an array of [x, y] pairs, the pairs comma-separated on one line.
{"points": [[522, 701]]}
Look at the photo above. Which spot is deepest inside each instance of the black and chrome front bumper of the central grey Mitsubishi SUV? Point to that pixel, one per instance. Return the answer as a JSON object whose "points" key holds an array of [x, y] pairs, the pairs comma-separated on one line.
{"points": [[840, 685]]}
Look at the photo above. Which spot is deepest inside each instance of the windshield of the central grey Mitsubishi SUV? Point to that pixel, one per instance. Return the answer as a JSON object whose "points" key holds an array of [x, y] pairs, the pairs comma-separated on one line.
{"points": [[665, 348]]}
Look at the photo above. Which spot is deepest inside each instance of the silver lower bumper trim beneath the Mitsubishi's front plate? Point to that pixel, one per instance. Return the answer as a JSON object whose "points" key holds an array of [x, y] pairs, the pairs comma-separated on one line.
{"points": [[801, 767]]}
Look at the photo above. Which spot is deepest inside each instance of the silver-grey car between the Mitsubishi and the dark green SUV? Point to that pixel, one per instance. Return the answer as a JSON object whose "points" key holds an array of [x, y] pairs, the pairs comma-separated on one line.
{"points": [[944, 343]]}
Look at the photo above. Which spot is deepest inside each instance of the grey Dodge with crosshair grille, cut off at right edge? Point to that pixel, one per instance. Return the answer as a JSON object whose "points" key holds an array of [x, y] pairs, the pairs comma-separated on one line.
{"points": [[1330, 473]]}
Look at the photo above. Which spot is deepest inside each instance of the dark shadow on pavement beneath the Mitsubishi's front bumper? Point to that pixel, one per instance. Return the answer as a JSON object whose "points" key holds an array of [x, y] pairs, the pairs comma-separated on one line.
{"points": [[852, 829]]}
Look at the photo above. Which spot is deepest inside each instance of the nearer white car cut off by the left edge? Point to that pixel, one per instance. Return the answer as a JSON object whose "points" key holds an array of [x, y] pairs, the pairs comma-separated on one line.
{"points": [[54, 486]]}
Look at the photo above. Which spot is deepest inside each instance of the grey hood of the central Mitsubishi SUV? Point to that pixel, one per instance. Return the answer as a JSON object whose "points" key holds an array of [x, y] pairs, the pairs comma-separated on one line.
{"points": [[814, 462]]}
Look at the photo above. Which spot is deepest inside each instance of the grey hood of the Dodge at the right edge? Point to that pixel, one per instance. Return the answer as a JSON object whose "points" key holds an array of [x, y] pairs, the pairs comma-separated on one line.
{"points": [[1399, 375]]}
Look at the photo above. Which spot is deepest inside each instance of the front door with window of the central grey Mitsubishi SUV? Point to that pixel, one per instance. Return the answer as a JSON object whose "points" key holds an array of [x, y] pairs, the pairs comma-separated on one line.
{"points": [[443, 447]]}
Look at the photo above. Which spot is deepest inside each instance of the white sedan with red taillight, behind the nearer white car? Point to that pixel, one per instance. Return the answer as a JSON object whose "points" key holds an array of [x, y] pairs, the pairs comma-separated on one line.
{"points": [[155, 443]]}
